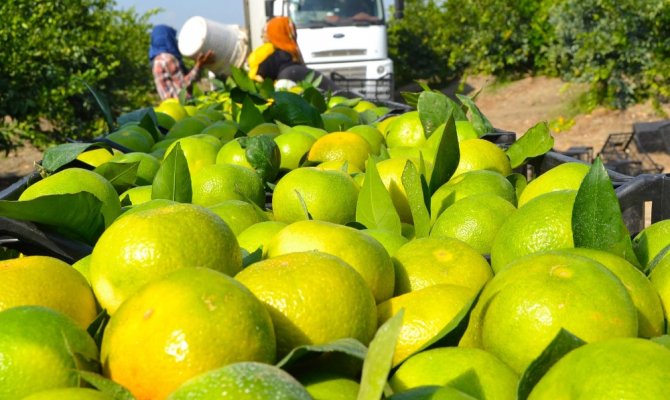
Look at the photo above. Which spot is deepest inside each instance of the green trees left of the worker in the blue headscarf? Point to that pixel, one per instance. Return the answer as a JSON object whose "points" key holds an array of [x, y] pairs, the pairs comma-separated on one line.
{"points": [[50, 48]]}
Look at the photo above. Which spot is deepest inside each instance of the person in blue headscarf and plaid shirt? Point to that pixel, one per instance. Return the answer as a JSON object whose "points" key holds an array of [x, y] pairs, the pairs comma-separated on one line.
{"points": [[170, 74]]}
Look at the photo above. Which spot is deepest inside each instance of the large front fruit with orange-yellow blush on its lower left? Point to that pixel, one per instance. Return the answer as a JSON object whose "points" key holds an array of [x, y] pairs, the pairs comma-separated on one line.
{"points": [[181, 325]]}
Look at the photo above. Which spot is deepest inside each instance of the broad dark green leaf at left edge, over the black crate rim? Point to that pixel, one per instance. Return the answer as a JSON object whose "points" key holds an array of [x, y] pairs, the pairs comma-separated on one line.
{"points": [[76, 216]]}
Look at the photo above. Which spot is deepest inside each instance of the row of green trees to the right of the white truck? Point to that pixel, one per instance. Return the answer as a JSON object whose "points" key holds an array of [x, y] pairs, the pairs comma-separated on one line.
{"points": [[621, 47]]}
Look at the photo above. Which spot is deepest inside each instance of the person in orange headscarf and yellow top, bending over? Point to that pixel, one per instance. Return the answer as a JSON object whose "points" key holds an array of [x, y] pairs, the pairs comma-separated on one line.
{"points": [[279, 57]]}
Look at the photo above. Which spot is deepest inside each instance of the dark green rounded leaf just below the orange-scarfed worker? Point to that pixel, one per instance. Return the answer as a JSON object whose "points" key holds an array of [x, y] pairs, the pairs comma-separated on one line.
{"points": [[293, 110]]}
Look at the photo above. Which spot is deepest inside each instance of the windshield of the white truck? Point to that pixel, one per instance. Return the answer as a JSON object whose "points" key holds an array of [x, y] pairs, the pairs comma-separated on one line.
{"points": [[320, 13]]}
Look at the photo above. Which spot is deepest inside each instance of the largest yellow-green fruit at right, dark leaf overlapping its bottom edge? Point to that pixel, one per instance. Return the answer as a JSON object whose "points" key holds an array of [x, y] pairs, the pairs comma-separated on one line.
{"points": [[525, 305]]}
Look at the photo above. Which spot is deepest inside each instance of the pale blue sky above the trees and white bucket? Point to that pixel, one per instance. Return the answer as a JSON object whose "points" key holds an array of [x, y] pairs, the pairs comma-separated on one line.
{"points": [[176, 12]]}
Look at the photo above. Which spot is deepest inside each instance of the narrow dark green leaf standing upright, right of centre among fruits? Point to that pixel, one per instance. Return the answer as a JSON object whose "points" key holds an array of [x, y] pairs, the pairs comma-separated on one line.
{"points": [[446, 156]]}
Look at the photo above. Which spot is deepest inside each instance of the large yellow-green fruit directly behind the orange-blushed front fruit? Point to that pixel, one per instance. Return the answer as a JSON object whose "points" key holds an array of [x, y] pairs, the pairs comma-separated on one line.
{"points": [[147, 244]]}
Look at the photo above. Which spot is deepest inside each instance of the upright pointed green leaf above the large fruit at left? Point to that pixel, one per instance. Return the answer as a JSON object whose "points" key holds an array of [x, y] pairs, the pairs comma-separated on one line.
{"points": [[173, 180]]}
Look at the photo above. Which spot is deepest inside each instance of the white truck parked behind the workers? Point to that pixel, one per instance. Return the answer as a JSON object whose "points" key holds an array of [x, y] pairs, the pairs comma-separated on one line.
{"points": [[343, 39]]}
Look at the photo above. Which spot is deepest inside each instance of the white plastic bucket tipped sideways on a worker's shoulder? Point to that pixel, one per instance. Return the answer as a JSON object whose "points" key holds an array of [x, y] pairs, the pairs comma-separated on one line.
{"points": [[229, 43]]}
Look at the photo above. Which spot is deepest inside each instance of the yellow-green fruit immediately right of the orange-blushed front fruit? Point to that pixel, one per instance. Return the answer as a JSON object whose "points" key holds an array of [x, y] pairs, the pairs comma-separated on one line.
{"points": [[312, 298]]}
